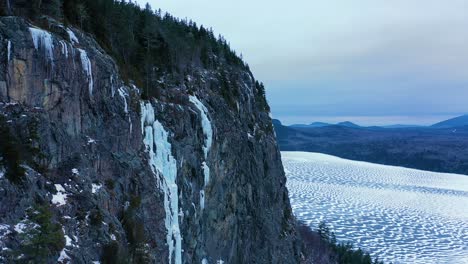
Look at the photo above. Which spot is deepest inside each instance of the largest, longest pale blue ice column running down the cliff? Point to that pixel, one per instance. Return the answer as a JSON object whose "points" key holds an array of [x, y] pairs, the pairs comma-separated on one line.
{"points": [[164, 167]]}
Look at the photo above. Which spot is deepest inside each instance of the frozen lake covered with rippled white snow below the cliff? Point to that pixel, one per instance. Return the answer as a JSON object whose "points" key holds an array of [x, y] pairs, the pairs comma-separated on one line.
{"points": [[398, 214]]}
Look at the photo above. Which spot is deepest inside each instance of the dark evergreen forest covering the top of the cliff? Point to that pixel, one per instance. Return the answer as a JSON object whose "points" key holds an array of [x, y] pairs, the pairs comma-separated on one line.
{"points": [[146, 44]]}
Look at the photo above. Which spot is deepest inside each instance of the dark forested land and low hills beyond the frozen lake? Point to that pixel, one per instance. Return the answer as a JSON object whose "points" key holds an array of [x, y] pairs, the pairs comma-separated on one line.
{"points": [[426, 148]]}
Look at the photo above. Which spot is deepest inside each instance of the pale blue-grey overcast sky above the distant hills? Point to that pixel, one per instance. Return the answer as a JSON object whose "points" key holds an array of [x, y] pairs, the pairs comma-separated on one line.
{"points": [[367, 61]]}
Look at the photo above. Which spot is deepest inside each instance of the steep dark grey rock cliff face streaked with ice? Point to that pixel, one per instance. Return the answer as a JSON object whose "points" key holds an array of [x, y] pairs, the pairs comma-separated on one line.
{"points": [[189, 177]]}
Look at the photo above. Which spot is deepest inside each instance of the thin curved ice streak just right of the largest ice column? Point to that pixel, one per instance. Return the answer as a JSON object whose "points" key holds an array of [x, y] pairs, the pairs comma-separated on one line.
{"points": [[208, 133]]}
